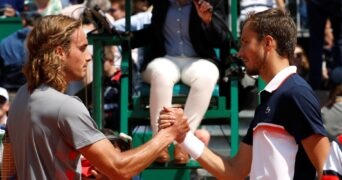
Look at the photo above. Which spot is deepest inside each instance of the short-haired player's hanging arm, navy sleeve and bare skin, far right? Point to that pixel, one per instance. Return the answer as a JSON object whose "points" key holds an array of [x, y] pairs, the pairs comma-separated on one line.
{"points": [[308, 126]]}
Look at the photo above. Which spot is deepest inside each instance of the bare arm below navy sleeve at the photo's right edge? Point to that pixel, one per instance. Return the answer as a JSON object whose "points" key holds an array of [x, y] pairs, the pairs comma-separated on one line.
{"points": [[317, 148]]}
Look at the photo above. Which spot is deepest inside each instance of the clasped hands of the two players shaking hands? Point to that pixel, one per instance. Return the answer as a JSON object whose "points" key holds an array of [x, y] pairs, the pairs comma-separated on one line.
{"points": [[173, 120]]}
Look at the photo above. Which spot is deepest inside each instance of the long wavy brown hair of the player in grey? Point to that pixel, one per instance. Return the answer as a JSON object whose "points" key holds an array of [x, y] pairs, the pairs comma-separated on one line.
{"points": [[44, 66]]}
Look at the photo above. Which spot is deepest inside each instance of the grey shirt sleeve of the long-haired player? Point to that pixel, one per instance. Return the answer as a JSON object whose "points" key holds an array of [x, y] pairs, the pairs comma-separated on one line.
{"points": [[76, 124]]}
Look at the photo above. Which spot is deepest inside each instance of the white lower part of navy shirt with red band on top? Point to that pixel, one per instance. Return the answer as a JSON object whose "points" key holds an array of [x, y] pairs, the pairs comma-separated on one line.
{"points": [[274, 153]]}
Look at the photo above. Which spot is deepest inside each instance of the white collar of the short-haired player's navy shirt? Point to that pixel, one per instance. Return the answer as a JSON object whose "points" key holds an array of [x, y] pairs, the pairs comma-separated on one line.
{"points": [[279, 78]]}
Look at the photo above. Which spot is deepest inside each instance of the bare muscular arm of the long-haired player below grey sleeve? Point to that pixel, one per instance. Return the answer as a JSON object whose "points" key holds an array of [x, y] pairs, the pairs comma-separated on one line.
{"points": [[124, 165]]}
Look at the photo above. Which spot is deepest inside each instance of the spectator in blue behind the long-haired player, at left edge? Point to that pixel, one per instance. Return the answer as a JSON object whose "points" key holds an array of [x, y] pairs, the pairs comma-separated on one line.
{"points": [[13, 53]]}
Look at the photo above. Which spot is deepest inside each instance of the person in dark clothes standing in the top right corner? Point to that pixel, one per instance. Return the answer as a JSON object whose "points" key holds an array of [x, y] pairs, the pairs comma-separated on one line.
{"points": [[319, 11]]}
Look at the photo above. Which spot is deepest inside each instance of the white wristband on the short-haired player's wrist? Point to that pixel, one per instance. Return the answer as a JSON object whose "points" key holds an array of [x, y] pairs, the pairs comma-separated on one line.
{"points": [[193, 145]]}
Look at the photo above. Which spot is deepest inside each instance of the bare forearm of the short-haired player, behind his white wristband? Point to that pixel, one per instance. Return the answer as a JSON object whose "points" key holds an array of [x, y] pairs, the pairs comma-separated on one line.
{"points": [[234, 168]]}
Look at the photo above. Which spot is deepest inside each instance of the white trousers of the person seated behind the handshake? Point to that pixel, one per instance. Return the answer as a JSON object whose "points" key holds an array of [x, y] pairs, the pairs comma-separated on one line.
{"points": [[162, 73]]}
